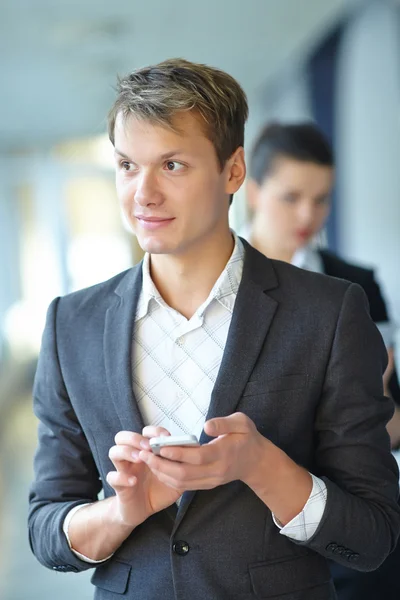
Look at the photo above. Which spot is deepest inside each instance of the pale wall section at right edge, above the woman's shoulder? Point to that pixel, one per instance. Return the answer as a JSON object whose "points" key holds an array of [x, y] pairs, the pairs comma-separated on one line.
{"points": [[368, 148]]}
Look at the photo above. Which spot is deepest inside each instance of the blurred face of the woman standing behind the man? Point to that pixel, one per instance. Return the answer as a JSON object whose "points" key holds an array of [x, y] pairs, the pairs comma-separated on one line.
{"points": [[292, 203]]}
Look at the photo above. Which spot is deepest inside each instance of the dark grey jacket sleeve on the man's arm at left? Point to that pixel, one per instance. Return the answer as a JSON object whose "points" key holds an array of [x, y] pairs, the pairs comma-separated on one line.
{"points": [[65, 474]]}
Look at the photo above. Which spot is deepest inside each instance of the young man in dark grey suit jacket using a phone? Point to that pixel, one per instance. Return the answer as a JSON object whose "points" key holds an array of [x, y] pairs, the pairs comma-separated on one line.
{"points": [[277, 370]]}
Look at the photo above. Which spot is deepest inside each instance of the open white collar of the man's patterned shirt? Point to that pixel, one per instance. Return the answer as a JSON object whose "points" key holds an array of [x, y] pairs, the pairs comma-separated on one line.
{"points": [[224, 290]]}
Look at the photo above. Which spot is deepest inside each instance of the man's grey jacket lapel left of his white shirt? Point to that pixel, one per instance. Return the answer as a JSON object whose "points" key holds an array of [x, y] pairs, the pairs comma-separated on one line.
{"points": [[118, 331]]}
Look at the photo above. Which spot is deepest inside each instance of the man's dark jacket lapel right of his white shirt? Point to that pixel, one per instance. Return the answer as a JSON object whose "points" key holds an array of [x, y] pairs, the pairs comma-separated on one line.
{"points": [[251, 319]]}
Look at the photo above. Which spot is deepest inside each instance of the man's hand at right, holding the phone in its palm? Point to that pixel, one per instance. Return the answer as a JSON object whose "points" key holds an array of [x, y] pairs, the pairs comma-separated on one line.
{"points": [[238, 452]]}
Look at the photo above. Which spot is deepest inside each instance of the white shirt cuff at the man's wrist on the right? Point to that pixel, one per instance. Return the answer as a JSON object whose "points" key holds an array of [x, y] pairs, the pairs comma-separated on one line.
{"points": [[305, 524]]}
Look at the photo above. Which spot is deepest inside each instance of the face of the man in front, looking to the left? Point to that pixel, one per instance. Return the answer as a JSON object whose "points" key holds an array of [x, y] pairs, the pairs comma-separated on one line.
{"points": [[170, 184]]}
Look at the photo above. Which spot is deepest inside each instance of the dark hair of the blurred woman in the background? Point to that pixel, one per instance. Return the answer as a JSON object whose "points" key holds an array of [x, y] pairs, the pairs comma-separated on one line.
{"points": [[301, 141]]}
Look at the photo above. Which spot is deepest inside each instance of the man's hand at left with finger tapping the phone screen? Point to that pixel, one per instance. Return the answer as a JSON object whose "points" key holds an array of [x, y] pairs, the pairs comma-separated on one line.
{"points": [[139, 492]]}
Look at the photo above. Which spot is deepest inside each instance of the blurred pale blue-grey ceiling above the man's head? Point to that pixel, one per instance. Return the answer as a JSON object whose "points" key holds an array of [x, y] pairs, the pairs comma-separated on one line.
{"points": [[58, 60]]}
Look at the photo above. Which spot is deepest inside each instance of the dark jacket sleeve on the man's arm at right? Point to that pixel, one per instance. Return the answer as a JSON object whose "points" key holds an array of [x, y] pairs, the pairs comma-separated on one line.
{"points": [[361, 521]]}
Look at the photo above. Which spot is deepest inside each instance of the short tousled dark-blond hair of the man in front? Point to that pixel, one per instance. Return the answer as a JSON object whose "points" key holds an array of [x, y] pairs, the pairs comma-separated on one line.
{"points": [[159, 92]]}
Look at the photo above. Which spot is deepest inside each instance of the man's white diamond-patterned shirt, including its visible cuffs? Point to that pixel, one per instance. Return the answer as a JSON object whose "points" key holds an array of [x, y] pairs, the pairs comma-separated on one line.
{"points": [[175, 365]]}
